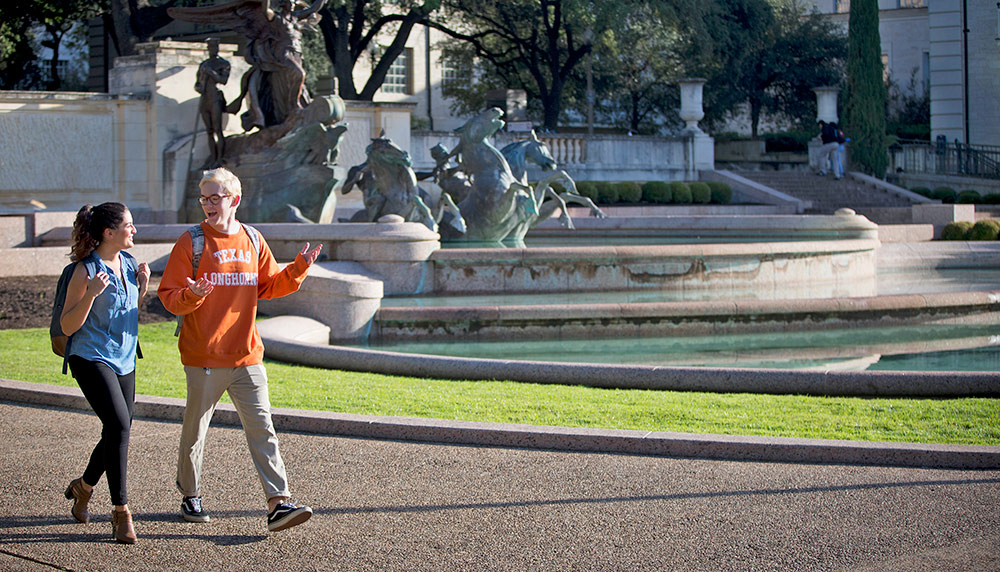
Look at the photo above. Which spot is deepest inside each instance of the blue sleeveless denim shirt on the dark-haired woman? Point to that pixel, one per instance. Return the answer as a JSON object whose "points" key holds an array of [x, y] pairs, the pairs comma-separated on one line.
{"points": [[110, 333]]}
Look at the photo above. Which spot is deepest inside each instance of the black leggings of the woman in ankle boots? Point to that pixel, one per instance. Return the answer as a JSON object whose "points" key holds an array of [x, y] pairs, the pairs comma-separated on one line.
{"points": [[112, 397]]}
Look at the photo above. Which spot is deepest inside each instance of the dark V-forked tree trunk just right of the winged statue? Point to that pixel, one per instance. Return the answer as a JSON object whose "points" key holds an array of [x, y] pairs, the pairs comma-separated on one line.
{"points": [[350, 29]]}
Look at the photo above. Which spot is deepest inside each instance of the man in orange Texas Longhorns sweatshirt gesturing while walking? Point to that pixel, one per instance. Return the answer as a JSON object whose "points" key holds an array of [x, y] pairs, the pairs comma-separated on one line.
{"points": [[215, 274]]}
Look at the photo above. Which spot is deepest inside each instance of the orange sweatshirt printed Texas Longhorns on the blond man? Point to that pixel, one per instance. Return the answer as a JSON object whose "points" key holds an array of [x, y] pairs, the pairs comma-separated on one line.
{"points": [[219, 330]]}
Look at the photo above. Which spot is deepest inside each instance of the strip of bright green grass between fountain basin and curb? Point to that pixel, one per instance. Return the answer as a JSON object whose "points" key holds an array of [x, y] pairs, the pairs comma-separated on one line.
{"points": [[25, 356]]}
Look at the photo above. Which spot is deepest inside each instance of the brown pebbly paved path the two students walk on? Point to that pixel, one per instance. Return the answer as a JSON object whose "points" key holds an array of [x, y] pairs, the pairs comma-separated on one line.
{"points": [[396, 505]]}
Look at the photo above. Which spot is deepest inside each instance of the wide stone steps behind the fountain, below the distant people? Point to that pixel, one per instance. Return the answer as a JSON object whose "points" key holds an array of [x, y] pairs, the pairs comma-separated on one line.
{"points": [[827, 194]]}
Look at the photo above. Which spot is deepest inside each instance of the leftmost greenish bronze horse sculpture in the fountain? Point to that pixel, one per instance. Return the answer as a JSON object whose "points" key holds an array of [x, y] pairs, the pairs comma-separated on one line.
{"points": [[389, 186]]}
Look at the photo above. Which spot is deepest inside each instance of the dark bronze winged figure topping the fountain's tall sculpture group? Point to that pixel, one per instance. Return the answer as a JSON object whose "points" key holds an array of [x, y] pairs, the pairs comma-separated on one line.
{"points": [[274, 86]]}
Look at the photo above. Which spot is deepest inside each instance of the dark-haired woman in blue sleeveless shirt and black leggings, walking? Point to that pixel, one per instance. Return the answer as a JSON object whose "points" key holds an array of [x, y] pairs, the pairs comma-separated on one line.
{"points": [[101, 314]]}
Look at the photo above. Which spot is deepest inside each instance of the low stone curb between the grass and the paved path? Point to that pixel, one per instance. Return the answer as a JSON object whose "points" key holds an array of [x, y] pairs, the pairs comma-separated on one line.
{"points": [[723, 447]]}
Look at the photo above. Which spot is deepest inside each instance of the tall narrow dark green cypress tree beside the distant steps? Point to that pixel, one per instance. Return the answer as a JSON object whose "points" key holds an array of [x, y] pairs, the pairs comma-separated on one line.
{"points": [[866, 90]]}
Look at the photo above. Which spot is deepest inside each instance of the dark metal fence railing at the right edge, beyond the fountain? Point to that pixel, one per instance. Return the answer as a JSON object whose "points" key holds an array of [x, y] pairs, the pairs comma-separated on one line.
{"points": [[944, 158]]}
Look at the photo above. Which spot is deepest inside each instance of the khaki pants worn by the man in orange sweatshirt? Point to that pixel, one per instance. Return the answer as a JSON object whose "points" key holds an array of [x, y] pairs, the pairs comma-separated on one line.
{"points": [[247, 387]]}
